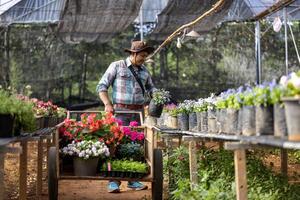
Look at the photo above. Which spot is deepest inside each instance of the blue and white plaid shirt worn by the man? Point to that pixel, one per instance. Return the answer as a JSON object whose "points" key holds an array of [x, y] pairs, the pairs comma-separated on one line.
{"points": [[126, 90]]}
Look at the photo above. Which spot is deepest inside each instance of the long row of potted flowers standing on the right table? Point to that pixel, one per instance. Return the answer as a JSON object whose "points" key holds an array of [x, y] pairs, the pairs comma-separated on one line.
{"points": [[258, 110]]}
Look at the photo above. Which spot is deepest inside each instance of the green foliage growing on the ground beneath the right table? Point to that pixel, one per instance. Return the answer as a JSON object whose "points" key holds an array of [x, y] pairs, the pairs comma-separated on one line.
{"points": [[216, 178]]}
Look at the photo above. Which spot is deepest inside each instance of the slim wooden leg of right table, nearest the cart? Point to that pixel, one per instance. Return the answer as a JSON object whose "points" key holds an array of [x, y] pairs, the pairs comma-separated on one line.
{"points": [[193, 164]]}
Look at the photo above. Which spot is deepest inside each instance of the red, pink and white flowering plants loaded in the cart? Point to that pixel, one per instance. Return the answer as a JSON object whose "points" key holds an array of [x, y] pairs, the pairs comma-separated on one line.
{"points": [[104, 139]]}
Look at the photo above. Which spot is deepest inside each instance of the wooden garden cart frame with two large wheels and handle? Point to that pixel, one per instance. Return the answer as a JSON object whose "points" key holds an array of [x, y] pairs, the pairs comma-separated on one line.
{"points": [[152, 154]]}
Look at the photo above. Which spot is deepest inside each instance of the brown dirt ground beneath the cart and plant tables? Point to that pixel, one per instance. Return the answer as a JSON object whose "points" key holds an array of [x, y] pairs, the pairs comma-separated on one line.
{"points": [[93, 190]]}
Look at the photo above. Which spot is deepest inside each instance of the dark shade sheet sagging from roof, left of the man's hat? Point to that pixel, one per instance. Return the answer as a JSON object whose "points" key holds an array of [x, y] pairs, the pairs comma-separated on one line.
{"points": [[93, 20]]}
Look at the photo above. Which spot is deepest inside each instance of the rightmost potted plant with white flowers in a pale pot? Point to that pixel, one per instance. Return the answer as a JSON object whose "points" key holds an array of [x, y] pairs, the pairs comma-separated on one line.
{"points": [[291, 101]]}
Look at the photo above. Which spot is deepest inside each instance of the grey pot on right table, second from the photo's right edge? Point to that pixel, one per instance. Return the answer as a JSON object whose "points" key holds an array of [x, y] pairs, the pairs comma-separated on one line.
{"points": [[280, 128]]}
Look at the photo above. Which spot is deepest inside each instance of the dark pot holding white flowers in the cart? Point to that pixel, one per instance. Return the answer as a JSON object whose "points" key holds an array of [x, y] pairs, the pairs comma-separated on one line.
{"points": [[85, 167]]}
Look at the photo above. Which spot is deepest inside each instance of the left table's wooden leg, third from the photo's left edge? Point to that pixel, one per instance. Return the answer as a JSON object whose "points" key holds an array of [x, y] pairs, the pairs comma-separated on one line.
{"points": [[39, 186]]}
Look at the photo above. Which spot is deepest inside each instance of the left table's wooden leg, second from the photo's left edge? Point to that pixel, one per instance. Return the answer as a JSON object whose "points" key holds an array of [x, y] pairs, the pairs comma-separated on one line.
{"points": [[23, 171]]}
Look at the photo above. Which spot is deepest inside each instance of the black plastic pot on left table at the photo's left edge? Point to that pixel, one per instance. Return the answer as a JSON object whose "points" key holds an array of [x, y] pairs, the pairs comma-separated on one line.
{"points": [[6, 125]]}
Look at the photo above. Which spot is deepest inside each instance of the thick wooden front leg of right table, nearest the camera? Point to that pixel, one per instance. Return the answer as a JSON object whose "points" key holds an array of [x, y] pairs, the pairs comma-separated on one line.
{"points": [[240, 174]]}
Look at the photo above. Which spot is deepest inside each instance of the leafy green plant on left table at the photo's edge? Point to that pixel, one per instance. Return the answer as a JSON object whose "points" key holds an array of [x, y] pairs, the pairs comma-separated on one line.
{"points": [[22, 111]]}
